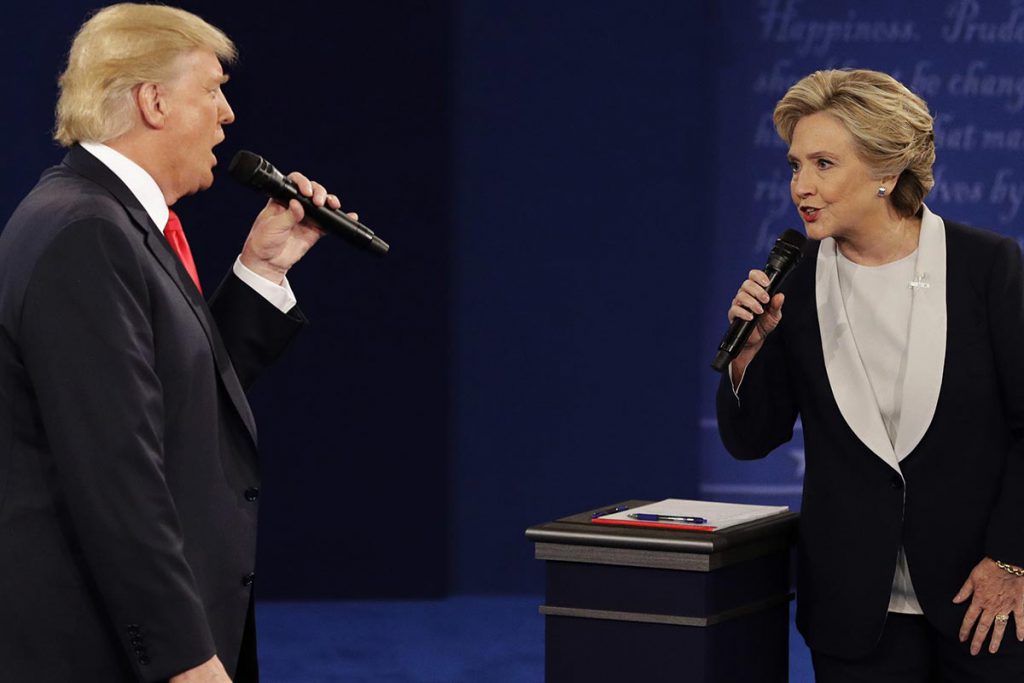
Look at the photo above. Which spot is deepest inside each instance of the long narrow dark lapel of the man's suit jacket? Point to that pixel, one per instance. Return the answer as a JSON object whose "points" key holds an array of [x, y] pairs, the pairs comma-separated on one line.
{"points": [[87, 165]]}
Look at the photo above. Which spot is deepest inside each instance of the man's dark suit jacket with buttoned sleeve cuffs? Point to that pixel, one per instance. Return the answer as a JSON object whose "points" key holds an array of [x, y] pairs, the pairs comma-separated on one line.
{"points": [[129, 464]]}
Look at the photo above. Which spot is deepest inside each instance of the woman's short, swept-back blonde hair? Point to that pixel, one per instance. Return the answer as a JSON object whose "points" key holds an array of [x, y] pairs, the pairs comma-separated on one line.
{"points": [[891, 126]]}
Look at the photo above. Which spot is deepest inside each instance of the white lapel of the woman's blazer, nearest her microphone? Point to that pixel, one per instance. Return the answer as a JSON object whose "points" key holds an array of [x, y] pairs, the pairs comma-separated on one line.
{"points": [[846, 372]]}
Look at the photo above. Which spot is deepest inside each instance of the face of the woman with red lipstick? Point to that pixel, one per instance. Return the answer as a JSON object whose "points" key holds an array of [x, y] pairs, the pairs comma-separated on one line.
{"points": [[835, 192]]}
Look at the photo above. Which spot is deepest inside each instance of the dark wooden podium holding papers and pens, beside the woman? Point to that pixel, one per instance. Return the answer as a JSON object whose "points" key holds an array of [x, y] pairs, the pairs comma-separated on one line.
{"points": [[630, 604]]}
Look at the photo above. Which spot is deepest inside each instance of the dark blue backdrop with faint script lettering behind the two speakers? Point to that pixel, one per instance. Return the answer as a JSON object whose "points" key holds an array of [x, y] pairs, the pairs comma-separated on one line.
{"points": [[573, 192]]}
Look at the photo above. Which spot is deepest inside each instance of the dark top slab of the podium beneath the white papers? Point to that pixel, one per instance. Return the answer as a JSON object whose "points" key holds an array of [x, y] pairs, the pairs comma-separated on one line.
{"points": [[578, 530]]}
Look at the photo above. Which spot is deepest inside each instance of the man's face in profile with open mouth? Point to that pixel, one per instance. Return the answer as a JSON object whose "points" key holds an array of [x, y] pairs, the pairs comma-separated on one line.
{"points": [[197, 112]]}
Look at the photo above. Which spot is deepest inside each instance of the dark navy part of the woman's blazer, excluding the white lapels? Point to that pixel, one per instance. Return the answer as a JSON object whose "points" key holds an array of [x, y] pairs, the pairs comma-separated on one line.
{"points": [[957, 497]]}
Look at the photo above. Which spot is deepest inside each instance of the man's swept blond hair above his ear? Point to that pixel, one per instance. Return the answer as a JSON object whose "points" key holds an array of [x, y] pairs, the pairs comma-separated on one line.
{"points": [[117, 50]]}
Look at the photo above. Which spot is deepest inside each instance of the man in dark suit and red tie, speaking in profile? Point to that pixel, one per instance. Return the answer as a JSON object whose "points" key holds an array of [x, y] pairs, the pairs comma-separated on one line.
{"points": [[129, 467]]}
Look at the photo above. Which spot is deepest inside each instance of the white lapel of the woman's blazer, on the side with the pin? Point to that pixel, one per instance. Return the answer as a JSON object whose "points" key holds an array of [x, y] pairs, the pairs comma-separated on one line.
{"points": [[927, 344]]}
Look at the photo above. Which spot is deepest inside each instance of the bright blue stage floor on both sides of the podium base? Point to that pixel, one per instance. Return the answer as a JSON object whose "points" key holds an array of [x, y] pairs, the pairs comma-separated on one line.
{"points": [[470, 639]]}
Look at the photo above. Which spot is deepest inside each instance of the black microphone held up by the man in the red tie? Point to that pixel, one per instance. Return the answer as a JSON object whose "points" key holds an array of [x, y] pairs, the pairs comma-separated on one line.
{"points": [[253, 170]]}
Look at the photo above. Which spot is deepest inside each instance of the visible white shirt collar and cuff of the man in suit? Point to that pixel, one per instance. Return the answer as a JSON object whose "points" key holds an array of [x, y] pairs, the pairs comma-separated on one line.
{"points": [[142, 185]]}
